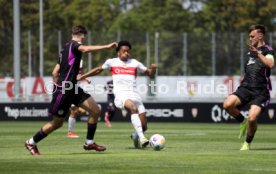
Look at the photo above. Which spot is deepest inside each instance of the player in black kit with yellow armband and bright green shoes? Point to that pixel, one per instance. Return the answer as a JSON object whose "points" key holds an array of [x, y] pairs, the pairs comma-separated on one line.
{"points": [[254, 88]]}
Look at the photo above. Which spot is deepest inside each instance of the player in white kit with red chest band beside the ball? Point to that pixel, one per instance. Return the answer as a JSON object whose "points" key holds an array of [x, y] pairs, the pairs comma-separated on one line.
{"points": [[124, 70]]}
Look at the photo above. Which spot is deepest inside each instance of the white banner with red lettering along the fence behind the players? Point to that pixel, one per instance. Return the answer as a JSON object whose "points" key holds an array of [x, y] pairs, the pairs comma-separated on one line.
{"points": [[164, 88]]}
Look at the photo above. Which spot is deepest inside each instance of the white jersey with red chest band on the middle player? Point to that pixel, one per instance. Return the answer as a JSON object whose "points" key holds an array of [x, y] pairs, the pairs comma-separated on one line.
{"points": [[124, 74]]}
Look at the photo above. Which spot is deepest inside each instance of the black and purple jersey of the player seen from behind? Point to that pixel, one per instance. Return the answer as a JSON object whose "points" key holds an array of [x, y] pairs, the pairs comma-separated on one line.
{"points": [[69, 61]]}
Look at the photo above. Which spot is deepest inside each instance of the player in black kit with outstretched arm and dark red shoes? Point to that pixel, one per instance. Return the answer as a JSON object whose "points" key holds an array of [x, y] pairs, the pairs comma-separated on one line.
{"points": [[67, 92]]}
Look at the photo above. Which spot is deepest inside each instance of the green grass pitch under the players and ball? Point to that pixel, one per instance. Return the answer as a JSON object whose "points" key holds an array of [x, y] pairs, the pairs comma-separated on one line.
{"points": [[191, 148]]}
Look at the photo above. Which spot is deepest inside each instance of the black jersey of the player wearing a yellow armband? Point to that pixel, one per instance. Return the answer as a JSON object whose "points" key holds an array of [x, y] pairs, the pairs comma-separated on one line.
{"points": [[256, 73]]}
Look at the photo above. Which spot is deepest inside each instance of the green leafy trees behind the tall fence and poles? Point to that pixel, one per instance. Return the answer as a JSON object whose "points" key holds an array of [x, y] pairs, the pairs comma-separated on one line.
{"points": [[109, 20]]}
